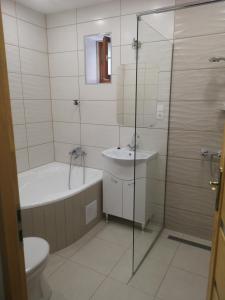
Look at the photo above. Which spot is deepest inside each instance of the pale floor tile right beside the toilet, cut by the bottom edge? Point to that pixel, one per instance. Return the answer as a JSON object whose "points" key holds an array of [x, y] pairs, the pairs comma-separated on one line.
{"points": [[75, 282]]}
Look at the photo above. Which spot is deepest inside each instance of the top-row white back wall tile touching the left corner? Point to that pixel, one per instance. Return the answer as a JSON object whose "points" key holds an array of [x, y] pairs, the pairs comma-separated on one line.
{"points": [[61, 19]]}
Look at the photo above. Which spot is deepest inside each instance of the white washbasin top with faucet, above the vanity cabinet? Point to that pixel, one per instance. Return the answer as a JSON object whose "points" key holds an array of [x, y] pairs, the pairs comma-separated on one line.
{"points": [[126, 154]]}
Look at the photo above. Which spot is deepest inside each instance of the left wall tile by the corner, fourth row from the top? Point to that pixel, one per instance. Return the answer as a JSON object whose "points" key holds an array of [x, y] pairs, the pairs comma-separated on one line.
{"points": [[35, 87]]}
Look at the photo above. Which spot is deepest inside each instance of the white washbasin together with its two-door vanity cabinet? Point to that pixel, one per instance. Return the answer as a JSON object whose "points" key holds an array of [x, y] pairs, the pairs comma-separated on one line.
{"points": [[118, 183]]}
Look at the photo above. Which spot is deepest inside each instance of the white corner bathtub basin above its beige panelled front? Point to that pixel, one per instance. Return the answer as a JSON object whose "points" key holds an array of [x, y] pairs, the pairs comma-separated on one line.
{"points": [[49, 183]]}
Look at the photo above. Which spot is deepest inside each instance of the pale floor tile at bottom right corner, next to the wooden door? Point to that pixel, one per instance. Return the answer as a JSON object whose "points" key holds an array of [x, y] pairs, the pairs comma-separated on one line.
{"points": [[182, 285]]}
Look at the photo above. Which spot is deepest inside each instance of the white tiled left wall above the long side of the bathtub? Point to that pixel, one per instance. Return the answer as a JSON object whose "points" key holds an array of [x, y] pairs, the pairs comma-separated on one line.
{"points": [[27, 60]]}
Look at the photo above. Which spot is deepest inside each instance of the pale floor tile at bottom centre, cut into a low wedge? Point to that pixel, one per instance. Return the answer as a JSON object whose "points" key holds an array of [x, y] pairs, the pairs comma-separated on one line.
{"points": [[115, 290]]}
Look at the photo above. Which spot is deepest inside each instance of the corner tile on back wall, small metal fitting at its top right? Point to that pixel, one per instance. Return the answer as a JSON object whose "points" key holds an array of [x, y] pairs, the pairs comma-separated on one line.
{"points": [[65, 111]]}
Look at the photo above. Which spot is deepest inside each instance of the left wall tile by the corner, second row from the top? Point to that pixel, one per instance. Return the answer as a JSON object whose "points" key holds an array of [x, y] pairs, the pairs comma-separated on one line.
{"points": [[32, 37]]}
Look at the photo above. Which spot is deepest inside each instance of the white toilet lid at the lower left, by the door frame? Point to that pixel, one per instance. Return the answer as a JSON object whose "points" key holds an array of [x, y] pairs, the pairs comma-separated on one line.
{"points": [[36, 250]]}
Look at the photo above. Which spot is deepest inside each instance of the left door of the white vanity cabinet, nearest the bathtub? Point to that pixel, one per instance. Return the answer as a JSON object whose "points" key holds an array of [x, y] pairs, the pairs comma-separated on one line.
{"points": [[112, 195]]}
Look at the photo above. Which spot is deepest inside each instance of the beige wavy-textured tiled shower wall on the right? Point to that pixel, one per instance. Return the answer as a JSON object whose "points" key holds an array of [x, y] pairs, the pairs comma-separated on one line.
{"points": [[198, 93]]}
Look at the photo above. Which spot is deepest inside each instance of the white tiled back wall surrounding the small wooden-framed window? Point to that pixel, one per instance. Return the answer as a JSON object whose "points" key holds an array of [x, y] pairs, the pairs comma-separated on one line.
{"points": [[99, 128]]}
